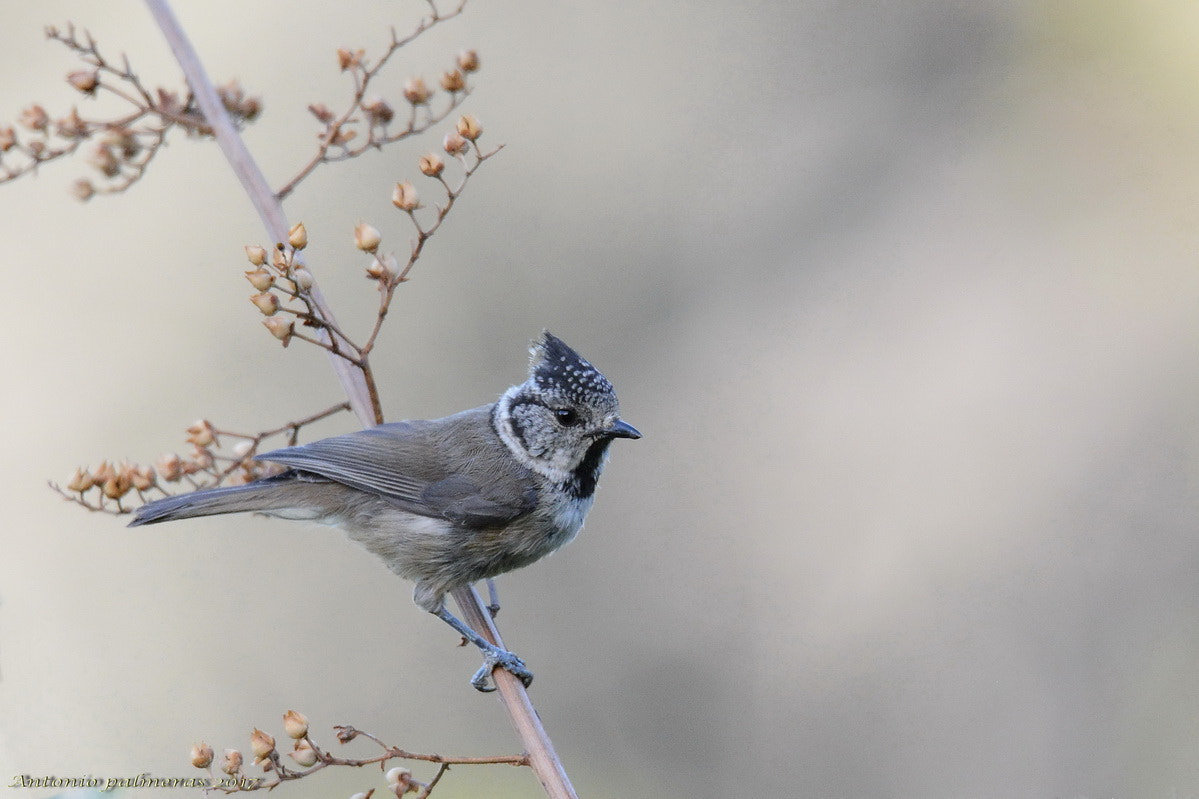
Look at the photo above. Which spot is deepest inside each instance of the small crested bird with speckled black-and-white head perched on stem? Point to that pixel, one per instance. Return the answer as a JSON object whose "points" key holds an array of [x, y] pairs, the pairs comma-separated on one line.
{"points": [[449, 502]]}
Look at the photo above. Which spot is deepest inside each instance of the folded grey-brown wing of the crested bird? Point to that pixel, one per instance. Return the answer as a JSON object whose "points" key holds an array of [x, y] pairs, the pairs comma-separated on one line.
{"points": [[453, 468]]}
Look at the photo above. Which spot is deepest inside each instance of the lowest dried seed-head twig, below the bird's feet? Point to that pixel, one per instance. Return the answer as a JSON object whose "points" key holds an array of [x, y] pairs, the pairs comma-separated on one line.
{"points": [[310, 758]]}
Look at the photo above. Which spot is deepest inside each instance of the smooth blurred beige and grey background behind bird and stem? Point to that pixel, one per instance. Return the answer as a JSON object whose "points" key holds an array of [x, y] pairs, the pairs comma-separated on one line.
{"points": [[905, 298]]}
